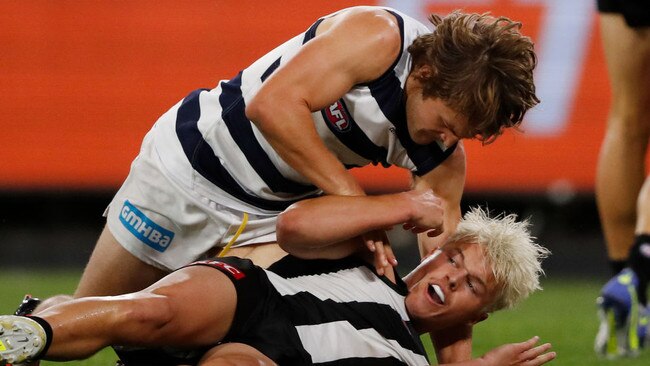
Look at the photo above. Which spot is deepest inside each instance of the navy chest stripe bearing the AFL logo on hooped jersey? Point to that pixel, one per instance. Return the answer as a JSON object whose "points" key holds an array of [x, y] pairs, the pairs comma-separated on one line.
{"points": [[353, 136]]}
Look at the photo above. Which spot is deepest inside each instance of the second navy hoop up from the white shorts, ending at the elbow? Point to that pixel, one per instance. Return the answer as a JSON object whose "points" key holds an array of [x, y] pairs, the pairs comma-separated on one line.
{"points": [[241, 130]]}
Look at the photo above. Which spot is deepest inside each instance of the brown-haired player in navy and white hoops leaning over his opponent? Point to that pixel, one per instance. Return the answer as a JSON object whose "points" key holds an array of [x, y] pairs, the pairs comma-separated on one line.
{"points": [[288, 126]]}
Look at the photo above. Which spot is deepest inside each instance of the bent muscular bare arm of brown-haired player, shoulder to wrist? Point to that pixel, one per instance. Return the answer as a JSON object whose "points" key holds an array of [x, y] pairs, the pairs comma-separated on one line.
{"points": [[325, 68]]}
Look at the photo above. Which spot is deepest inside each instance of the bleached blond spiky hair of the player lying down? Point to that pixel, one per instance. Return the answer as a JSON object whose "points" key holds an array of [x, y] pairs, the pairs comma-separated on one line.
{"points": [[511, 250]]}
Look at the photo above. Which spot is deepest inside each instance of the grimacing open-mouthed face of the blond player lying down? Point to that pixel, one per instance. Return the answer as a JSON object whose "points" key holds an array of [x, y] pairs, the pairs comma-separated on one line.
{"points": [[457, 285]]}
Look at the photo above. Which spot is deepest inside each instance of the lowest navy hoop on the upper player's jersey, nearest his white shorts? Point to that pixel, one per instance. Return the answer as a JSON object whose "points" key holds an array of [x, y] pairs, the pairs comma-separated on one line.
{"points": [[205, 162]]}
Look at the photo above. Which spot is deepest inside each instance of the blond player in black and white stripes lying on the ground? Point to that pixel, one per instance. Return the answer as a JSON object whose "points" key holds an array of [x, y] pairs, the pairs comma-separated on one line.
{"points": [[302, 310]]}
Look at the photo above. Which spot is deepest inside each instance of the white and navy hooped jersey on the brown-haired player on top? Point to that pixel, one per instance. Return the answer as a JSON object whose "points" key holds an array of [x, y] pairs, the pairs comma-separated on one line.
{"points": [[208, 145]]}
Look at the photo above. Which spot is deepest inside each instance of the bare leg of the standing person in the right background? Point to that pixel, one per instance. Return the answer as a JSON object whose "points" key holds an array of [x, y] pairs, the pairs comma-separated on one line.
{"points": [[621, 166]]}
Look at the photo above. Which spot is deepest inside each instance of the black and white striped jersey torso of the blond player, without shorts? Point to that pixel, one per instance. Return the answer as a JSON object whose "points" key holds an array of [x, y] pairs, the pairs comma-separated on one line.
{"points": [[344, 314]]}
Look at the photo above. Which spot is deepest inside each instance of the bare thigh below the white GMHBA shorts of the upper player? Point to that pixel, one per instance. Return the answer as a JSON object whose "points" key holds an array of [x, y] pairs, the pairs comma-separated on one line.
{"points": [[112, 270]]}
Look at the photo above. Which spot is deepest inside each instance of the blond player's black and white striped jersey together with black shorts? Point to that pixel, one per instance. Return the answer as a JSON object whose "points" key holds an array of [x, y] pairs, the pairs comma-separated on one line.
{"points": [[308, 312]]}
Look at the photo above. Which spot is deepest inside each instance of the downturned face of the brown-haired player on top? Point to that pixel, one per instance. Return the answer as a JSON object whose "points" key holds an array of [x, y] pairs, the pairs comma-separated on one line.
{"points": [[431, 119]]}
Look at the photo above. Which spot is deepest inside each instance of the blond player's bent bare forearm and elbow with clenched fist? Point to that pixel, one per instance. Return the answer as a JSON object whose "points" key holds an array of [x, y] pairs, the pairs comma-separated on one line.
{"points": [[327, 227]]}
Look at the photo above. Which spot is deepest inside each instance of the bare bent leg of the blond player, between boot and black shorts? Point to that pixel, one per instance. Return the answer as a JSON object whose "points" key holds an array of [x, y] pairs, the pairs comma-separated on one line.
{"points": [[162, 314]]}
